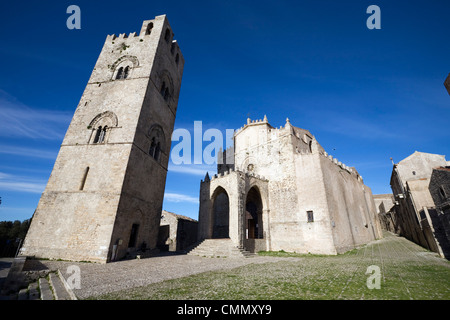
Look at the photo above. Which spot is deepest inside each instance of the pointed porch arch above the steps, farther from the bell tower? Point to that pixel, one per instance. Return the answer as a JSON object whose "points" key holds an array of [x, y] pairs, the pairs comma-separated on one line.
{"points": [[253, 215]]}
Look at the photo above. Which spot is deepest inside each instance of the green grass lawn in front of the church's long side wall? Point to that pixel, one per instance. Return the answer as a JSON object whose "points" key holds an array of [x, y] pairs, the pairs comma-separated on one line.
{"points": [[407, 271]]}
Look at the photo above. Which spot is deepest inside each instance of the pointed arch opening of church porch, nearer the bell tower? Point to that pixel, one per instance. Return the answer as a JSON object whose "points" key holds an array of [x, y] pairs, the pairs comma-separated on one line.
{"points": [[220, 214]]}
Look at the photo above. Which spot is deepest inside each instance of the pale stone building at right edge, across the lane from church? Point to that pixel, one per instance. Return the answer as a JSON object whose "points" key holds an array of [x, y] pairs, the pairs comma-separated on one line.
{"points": [[415, 213]]}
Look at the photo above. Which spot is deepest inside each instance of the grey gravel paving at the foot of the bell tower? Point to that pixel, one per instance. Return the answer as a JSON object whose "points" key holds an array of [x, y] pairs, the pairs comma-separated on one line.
{"points": [[99, 279]]}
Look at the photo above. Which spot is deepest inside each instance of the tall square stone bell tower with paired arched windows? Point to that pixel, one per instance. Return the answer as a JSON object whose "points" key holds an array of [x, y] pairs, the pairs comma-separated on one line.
{"points": [[104, 196]]}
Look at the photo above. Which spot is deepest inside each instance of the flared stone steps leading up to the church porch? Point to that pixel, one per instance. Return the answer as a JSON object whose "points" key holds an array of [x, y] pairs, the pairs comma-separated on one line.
{"points": [[219, 248]]}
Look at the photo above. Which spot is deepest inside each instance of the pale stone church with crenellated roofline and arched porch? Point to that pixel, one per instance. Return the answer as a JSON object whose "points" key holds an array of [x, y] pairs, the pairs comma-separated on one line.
{"points": [[279, 190]]}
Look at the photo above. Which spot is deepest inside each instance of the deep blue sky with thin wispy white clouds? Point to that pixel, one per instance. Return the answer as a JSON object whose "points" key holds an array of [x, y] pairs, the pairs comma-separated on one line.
{"points": [[367, 95]]}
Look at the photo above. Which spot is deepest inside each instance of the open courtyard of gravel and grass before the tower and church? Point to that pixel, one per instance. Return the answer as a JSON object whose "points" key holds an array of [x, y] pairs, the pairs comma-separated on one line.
{"points": [[407, 272]]}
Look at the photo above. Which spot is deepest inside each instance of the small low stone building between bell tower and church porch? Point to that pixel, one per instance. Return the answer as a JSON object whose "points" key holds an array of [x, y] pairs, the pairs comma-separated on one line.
{"points": [[176, 232]]}
